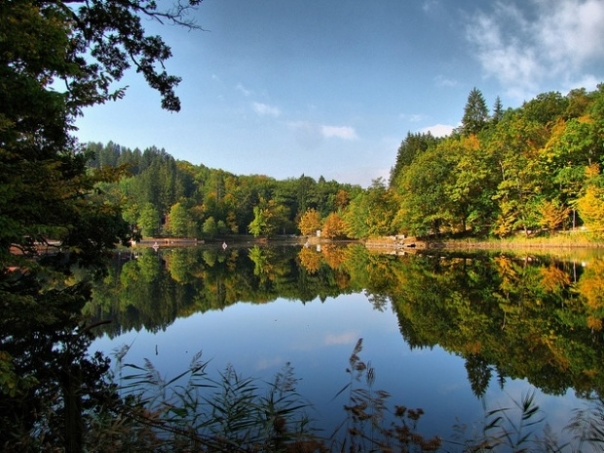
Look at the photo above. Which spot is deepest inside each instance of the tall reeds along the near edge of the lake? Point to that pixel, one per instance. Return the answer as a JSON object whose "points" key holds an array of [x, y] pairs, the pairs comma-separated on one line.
{"points": [[192, 412]]}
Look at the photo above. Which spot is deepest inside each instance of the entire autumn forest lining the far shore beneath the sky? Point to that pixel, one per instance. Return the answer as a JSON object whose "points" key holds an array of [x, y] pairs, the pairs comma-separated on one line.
{"points": [[536, 169]]}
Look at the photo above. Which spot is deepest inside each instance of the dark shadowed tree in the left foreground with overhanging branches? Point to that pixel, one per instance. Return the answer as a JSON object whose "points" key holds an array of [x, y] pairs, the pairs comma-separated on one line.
{"points": [[57, 58]]}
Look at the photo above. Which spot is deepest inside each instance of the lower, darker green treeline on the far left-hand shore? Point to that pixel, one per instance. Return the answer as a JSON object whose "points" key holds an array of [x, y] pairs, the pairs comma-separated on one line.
{"points": [[164, 196]]}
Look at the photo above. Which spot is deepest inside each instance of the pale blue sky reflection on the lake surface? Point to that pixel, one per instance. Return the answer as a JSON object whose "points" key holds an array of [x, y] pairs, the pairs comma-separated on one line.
{"points": [[317, 338]]}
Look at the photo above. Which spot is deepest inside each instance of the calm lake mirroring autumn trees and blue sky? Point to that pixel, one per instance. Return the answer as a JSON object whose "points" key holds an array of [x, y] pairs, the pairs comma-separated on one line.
{"points": [[456, 334]]}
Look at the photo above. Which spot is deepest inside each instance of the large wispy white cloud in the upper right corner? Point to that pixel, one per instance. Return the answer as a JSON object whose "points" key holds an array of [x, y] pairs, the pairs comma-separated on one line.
{"points": [[556, 43]]}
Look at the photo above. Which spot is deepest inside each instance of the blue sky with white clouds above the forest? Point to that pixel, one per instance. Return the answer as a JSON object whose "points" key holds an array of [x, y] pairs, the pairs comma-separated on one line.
{"points": [[325, 87]]}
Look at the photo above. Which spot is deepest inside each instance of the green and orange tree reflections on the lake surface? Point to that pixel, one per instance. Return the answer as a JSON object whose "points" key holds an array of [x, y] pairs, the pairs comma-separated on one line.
{"points": [[537, 318]]}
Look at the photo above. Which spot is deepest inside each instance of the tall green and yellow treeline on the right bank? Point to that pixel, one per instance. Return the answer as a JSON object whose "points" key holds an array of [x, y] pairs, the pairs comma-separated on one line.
{"points": [[534, 168]]}
